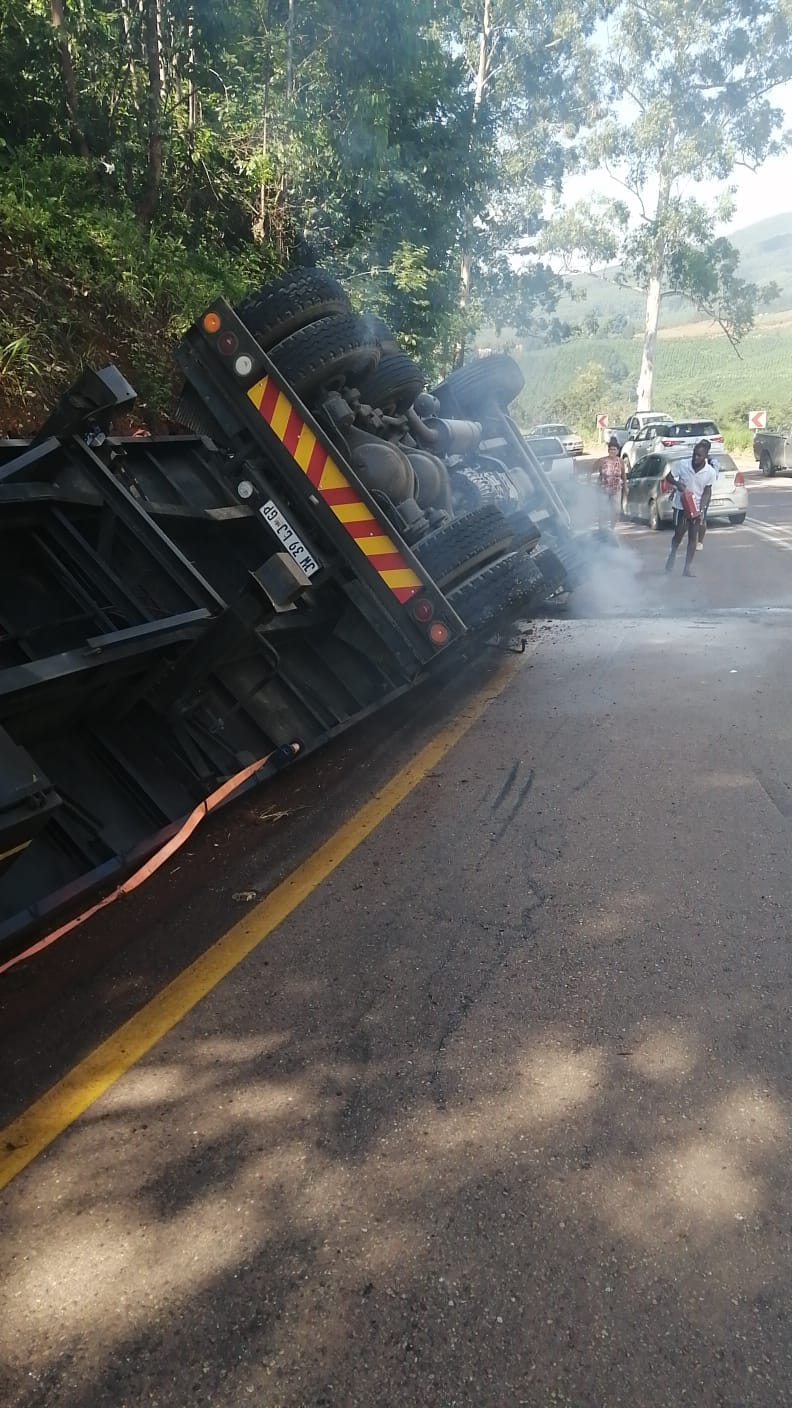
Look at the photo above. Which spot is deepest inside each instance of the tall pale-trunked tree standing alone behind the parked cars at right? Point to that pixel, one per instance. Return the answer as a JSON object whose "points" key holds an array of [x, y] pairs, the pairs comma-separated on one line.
{"points": [[693, 82]]}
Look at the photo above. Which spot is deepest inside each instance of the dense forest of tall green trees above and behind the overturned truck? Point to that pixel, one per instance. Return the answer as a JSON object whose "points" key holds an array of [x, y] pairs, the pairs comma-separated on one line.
{"points": [[159, 153]]}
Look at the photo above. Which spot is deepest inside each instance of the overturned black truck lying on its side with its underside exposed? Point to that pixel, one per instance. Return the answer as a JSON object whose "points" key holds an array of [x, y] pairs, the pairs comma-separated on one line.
{"points": [[182, 615]]}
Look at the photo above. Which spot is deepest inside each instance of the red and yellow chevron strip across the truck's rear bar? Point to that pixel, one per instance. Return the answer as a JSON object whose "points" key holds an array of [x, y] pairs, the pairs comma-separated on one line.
{"points": [[335, 488]]}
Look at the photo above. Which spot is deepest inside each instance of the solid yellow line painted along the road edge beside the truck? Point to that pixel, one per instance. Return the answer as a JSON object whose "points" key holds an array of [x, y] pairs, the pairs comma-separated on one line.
{"points": [[49, 1117]]}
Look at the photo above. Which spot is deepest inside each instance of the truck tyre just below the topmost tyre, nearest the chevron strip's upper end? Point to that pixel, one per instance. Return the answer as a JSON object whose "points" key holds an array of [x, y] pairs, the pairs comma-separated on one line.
{"points": [[326, 354]]}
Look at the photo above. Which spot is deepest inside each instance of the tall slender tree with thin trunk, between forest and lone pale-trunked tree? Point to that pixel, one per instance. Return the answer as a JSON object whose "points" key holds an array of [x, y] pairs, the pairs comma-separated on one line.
{"points": [[529, 82]]}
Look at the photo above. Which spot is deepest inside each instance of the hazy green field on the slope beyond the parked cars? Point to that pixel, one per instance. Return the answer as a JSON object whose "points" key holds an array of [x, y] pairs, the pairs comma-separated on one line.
{"points": [[695, 375]]}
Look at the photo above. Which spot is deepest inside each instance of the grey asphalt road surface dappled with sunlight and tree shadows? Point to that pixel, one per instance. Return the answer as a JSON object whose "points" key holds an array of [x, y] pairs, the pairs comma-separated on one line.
{"points": [[500, 1114]]}
